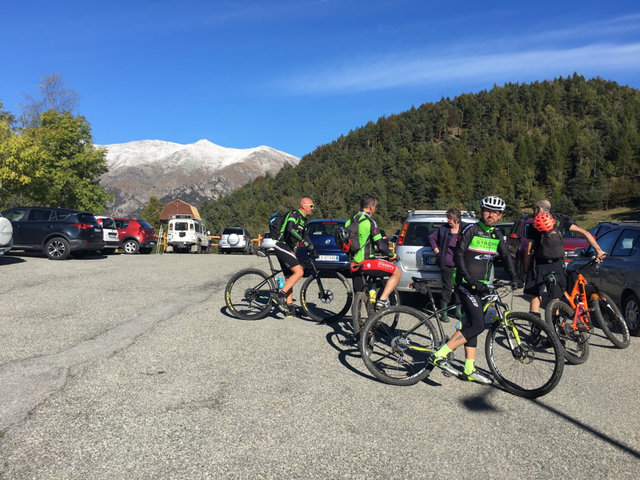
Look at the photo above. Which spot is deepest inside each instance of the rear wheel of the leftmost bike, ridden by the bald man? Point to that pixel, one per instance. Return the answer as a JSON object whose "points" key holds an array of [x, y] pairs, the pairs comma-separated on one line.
{"points": [[248, 294]]}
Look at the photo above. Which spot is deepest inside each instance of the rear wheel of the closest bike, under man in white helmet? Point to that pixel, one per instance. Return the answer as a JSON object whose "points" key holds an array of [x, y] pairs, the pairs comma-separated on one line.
{"points": [[396, 344]]}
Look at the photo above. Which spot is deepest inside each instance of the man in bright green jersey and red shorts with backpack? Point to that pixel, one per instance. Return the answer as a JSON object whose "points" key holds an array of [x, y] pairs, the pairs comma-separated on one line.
{"points": [[363, 261]]}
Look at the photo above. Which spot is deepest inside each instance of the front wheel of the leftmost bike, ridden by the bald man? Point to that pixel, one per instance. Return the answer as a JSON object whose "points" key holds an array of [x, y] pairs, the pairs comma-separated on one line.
{"points": [[327, 297]]}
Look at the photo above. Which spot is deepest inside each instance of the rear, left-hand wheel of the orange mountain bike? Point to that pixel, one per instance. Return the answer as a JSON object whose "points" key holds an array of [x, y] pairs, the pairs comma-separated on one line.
{"points": [[559, 316]]}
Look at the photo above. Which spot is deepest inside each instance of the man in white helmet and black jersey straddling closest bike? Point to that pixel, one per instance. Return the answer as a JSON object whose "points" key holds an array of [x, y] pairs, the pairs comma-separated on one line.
{"points": [[477, 246]]}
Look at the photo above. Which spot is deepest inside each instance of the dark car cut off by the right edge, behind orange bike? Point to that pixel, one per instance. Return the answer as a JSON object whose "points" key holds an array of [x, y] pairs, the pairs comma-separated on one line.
{"points": [[618, 275]]}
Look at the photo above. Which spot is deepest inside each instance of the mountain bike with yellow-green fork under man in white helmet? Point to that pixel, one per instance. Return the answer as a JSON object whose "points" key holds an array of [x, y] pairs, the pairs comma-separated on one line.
{"points": [[523, 354]]}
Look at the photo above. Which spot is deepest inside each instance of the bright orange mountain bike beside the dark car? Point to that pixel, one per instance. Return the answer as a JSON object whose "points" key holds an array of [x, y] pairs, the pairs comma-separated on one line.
{"points": [[571, 319]]}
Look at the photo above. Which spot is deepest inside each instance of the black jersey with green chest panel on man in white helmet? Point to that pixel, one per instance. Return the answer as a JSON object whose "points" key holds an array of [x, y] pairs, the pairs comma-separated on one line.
{"points": [[475, 251]]}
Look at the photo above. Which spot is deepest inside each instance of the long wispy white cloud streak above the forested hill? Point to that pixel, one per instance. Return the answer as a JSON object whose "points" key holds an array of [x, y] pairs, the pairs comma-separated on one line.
{"points": [[580, 52]]}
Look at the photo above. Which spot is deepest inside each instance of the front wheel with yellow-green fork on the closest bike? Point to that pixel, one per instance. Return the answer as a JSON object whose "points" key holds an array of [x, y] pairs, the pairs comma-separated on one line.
{"points": [[524, 355]]}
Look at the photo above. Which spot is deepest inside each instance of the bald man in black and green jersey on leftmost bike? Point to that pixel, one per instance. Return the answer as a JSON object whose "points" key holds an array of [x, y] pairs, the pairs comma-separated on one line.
{"points": [[293, 232]]}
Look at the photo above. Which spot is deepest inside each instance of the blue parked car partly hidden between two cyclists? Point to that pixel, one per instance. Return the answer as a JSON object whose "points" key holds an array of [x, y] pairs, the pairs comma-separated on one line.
{"points": [[330, 256]]}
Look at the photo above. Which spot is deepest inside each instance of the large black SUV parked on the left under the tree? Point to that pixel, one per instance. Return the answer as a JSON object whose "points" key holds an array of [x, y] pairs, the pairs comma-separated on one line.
{"points": [[57, 232]]}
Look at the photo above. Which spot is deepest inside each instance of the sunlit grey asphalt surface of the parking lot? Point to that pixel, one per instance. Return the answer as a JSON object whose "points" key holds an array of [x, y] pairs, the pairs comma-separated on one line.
{"points": [[130, 367]]}
